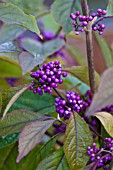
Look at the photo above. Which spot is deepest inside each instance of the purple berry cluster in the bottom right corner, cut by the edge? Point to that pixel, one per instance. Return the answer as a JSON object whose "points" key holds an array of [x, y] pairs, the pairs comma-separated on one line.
{"points": [[101, 156]]}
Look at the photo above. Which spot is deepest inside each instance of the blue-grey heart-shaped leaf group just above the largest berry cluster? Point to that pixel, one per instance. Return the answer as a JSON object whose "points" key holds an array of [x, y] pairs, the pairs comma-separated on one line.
{"points": [[39, 52]]}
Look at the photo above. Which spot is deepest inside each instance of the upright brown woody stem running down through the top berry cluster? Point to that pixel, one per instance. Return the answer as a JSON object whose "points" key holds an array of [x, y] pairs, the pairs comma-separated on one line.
{"points": [[89, 48]]}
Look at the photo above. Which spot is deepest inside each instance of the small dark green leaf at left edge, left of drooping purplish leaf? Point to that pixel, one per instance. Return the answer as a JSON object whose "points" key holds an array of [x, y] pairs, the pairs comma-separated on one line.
{"points": [[8, 139]]}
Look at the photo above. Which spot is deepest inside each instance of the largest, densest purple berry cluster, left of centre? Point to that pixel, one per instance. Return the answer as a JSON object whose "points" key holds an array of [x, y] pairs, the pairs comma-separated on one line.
{"points": [[47, 77]]}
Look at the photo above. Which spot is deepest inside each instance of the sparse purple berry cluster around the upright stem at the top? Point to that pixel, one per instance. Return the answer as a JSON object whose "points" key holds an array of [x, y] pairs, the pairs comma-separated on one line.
{"points": [[81, 21]]}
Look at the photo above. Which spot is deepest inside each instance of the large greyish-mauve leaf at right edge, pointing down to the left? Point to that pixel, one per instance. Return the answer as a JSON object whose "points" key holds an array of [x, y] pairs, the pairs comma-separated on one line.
{"points": [[104, 95]]}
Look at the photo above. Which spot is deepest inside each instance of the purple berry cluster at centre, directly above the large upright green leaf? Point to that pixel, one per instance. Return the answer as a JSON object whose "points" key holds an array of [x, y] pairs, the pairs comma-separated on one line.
{"points": [[73, 102]]}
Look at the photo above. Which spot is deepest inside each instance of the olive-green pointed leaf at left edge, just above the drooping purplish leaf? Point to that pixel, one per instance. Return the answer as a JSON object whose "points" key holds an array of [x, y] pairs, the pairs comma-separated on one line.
{"points": [[15, 121]]}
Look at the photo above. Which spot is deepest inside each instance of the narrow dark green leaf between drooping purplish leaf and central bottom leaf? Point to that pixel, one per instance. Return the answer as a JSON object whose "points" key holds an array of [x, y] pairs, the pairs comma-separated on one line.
{"points": [[46, 149]]}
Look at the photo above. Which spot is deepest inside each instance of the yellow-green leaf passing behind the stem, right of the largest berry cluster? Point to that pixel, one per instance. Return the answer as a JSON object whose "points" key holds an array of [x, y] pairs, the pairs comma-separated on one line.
{"points": [[81, 73]]}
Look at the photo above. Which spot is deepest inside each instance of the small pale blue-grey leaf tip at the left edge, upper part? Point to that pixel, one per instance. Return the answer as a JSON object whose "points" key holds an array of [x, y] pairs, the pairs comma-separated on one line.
{"points": [[9, 47]]}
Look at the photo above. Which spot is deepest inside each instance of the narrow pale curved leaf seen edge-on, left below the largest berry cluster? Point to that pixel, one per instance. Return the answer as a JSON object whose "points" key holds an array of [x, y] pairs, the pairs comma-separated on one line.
{"points": [[13, 99]]}
